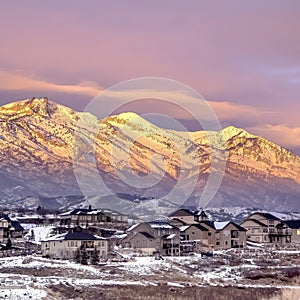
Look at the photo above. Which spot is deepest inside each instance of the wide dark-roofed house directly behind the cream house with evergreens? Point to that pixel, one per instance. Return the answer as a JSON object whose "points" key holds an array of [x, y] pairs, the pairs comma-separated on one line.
{"points": [[93, 217]]}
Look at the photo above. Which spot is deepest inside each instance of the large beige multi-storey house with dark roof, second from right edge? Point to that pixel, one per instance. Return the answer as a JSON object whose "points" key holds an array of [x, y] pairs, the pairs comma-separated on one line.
{"points": [[262, 228]]}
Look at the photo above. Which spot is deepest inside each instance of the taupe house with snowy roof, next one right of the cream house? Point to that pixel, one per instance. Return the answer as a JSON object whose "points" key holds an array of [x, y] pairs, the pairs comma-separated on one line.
{"points": [[151, 237]]}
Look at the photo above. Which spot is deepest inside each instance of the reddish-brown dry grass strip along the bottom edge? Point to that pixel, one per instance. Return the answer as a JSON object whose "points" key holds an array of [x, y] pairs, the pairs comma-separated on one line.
{"points": [[163, 292]]}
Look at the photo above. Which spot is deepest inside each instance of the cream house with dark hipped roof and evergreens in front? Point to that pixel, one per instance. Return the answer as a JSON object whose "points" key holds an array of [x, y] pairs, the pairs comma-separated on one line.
{"points": [[65, 246]]}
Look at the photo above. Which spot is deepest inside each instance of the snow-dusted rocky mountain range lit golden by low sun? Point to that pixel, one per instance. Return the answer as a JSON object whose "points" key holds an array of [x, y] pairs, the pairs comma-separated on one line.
{"points": [[42, 143]]}
